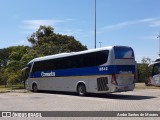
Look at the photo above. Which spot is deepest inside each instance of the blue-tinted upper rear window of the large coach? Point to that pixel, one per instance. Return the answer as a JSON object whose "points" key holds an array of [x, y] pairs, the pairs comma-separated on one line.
{"points": [[123, 53]]}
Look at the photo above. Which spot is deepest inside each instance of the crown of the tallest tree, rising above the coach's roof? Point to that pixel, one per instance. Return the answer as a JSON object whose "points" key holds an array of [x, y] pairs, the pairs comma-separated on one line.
{"points": [[45, 42]]}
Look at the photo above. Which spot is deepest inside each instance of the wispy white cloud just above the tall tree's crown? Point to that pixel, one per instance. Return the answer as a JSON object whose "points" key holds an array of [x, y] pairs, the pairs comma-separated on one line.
{"points": [[29, 26]]}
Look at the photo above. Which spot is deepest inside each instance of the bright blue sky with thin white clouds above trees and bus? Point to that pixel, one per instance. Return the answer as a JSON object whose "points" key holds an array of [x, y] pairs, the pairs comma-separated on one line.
{"points": [[134, 23]]}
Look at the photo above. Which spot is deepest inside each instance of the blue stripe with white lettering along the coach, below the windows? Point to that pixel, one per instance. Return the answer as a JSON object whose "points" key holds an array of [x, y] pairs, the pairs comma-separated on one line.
{"points": [[88, 71]]}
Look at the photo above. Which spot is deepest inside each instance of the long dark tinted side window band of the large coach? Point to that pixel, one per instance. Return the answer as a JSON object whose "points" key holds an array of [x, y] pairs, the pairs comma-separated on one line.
{"points": [[77, 61]]}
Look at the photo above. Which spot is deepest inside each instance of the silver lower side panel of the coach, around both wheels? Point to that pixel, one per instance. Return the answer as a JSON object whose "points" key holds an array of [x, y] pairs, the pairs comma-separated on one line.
{"points": [[58, 83]]}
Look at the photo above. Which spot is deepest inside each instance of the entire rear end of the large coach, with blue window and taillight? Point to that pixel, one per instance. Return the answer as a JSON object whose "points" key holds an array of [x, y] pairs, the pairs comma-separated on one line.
{"points": [[123, 69]]}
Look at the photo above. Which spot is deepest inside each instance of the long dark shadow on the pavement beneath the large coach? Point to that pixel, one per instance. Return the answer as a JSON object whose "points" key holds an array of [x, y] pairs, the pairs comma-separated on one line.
{"points": [[104, 96]]}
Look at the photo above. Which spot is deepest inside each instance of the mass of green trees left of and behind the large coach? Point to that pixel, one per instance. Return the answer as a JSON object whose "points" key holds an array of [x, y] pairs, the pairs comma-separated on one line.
{"points": [[44, 42]]}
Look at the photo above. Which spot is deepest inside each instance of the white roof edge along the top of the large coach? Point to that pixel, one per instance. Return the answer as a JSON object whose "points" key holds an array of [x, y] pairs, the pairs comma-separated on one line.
{"points": [[72, 53]]}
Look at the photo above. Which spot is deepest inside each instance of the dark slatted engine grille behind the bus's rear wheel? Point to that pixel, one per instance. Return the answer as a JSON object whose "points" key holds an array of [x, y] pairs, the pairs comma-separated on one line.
{"points": [[102, 84]]}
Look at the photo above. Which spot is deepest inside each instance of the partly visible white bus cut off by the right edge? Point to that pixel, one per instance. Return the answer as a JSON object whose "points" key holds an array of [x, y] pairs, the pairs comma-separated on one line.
{"points": [[154, 78]]}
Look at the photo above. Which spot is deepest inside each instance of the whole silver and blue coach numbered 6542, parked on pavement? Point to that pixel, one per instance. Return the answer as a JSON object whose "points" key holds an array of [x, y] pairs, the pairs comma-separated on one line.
{"points": [[102, 70]]}
